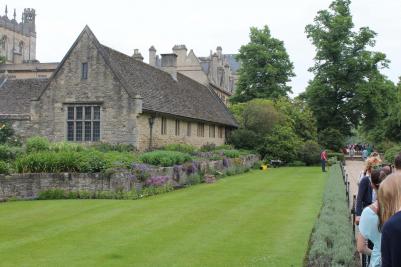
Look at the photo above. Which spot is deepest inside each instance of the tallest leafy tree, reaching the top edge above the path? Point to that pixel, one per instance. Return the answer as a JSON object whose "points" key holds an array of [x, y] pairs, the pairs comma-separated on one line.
{"points": [[344, 68]]}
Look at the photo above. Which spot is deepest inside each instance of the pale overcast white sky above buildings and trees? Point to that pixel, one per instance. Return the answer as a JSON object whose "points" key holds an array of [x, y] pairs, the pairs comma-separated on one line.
{"points": [[202, 26]]}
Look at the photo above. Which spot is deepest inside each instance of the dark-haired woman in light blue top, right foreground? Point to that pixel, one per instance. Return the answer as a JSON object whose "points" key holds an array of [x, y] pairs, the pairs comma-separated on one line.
{"points": [[369, 224]]}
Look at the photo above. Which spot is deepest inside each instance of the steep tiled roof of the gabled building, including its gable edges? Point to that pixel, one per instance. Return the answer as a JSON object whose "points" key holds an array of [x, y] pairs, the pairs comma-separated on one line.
{"points": [[161, 93]]}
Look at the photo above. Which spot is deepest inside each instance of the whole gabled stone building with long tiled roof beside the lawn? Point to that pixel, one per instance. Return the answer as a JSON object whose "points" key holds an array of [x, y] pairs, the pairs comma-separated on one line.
{"points": [[99, 94]]}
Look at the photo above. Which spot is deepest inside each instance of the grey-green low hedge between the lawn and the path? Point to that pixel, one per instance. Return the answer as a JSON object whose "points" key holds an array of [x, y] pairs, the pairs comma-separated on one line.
{"points": [[331, 242]]}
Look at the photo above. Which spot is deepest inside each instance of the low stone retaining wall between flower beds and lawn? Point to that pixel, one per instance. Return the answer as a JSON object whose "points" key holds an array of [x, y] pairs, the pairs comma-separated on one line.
{"points": [[29, 185]]}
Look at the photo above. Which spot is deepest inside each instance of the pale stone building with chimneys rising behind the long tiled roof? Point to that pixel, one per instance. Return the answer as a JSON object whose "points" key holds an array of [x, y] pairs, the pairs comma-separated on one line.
{"points": [[218, 71]]}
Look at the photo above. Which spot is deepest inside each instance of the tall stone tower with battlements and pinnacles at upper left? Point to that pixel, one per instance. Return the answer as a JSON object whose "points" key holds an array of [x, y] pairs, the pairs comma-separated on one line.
{"points": [[18, 39]]}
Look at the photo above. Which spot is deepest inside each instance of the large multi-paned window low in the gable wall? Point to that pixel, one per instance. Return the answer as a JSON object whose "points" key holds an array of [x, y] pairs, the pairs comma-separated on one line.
{"points": [[83, 123]]}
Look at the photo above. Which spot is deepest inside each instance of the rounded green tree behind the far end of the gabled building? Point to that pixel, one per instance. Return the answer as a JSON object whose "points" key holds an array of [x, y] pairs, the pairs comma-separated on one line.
{"points": [[265, 68]]}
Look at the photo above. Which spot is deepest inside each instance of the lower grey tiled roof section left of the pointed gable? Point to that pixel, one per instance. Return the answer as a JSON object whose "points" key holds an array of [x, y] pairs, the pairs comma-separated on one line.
{"points": [[15, 95]]}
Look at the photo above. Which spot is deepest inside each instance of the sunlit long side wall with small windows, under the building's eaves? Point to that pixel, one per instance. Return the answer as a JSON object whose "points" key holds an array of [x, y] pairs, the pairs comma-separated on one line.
{"points": [[170, 137]]}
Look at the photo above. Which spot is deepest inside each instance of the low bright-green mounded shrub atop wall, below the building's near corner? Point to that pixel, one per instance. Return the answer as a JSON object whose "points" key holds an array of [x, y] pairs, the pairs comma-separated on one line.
{"points": [[164, 158]]}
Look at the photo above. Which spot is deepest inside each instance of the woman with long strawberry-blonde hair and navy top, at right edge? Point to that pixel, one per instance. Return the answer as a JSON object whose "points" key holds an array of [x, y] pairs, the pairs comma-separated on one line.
{"points": [[389, 198]]}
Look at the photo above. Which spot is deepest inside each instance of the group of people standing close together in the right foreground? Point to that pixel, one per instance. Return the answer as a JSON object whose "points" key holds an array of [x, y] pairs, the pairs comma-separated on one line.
{"points": [[378, 212]]}
